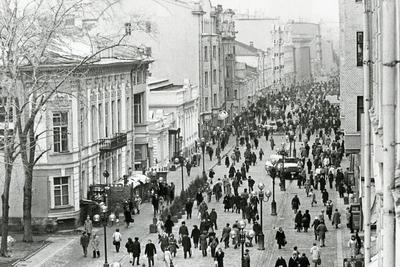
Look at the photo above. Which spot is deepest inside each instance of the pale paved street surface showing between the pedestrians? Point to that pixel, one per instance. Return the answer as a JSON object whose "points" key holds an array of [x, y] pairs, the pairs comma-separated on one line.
{"points": [[67, 252]]}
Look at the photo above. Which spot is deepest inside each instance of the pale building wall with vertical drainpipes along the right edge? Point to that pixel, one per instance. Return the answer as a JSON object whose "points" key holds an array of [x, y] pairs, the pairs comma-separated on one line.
{"points": [[384, 117]]}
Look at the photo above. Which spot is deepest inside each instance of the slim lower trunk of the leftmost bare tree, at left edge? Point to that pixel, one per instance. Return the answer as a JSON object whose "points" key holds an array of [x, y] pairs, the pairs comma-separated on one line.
{"points": [[5, 206]]}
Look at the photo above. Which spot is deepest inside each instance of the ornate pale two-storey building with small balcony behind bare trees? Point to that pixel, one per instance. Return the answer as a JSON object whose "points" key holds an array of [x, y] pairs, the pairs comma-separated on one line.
{"points": [[87, 130]]}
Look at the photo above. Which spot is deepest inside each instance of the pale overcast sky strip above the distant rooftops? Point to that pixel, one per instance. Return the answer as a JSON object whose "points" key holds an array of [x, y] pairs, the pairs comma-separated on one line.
{"points": [[314, 10]]}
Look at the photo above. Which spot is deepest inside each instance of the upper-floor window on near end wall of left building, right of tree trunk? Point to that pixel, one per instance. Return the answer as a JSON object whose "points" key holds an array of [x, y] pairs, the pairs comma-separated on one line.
{"points": [[60, 131]]}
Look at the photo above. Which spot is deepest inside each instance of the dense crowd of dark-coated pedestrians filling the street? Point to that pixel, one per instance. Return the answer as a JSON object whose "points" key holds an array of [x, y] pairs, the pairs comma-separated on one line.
{"points": [[304, 113]]}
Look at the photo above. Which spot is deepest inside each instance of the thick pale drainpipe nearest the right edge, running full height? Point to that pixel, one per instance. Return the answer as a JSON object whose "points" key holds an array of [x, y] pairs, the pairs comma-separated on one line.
{"points": [[388, 110]]}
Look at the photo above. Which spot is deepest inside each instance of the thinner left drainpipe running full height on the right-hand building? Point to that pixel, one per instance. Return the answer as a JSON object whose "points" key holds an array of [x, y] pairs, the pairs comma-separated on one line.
{"points": [[367, 135]]}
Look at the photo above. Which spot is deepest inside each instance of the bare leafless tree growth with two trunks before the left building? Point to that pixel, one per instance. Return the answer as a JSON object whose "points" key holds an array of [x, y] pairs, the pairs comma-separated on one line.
{"points": [[31, 36]]}
